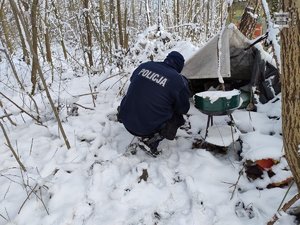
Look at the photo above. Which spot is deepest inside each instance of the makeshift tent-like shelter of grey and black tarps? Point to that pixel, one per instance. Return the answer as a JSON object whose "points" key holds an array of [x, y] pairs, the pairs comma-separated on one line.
{"points": [[230, 55]]}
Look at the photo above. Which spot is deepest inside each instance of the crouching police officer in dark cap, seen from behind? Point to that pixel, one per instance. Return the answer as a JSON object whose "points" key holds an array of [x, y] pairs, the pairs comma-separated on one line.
{"points": [[157, 98]]}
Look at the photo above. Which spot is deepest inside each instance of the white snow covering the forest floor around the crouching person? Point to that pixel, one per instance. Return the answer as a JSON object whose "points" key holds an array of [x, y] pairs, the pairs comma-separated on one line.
{"points": [[98, 182]]}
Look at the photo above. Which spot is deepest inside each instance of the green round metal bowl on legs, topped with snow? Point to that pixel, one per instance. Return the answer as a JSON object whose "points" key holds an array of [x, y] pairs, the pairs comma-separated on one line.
{"points": [[217, 102]]}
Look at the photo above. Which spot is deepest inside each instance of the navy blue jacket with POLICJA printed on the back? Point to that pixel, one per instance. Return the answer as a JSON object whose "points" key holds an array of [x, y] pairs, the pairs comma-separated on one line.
{"points": [[155, 93]]}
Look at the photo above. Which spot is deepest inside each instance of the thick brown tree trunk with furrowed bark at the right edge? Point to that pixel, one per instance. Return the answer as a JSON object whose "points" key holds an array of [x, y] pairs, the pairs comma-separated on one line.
{"points": [[290, 49]]}
